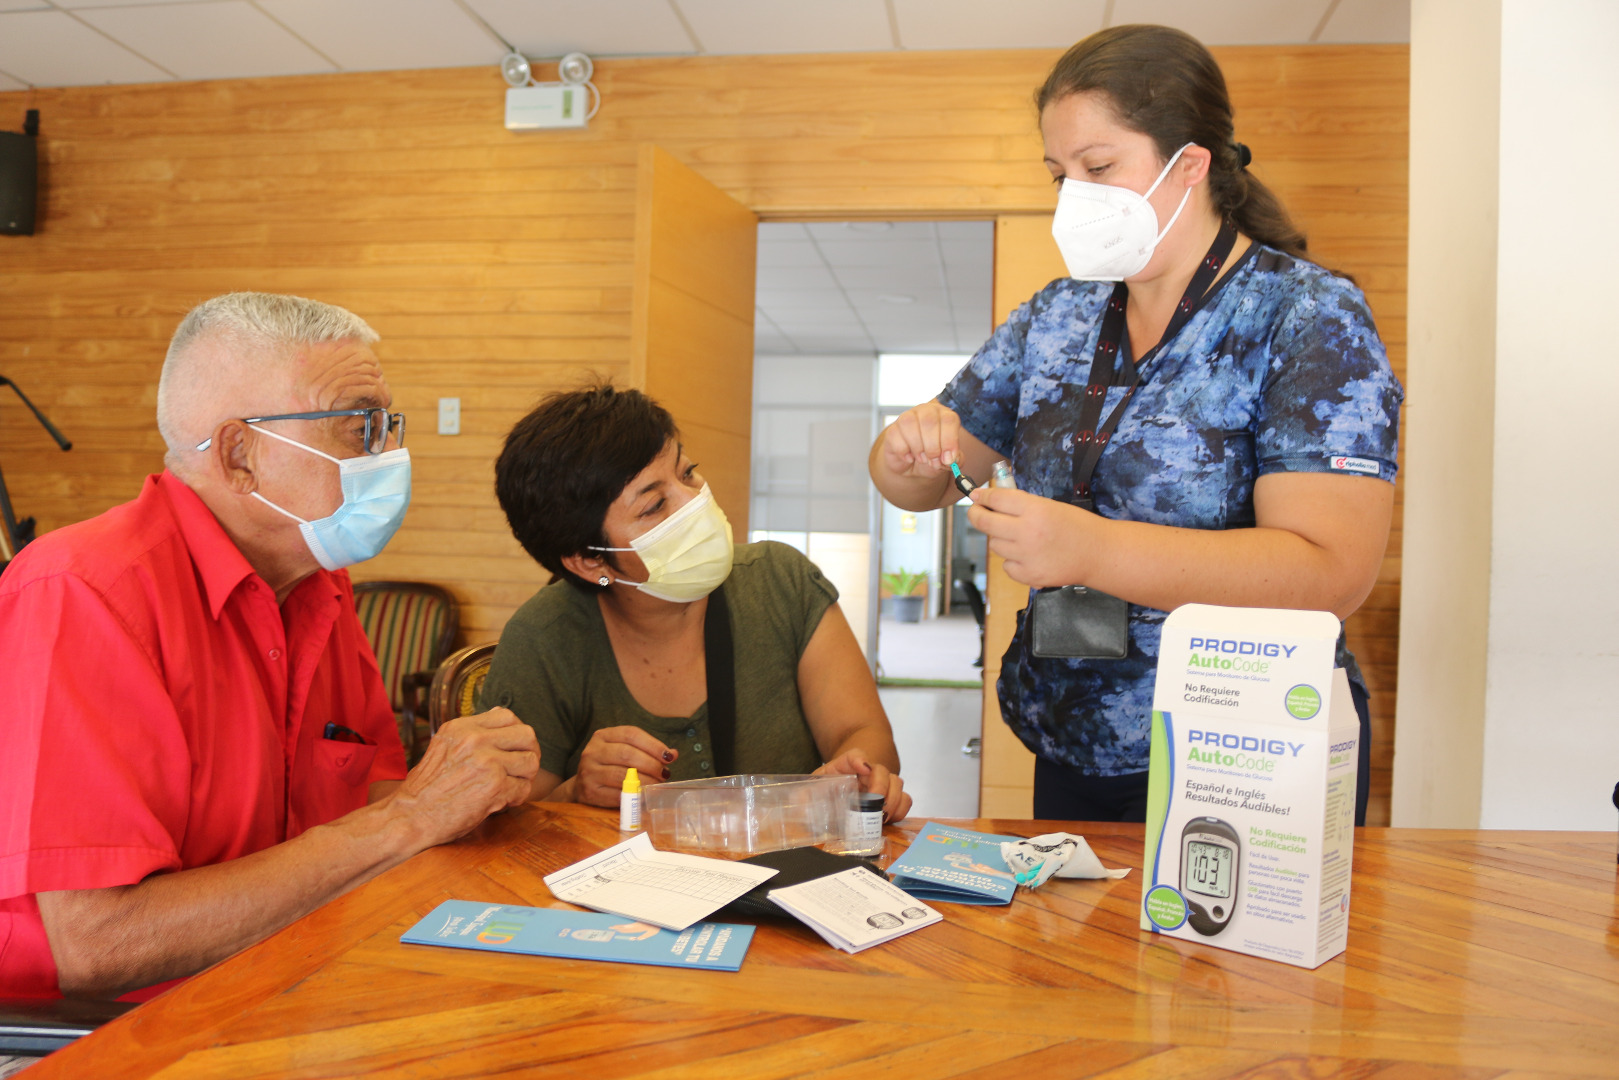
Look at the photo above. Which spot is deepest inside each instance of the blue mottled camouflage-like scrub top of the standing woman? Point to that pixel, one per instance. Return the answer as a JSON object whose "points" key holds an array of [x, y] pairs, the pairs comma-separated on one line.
{"points": [[1280, 372]]}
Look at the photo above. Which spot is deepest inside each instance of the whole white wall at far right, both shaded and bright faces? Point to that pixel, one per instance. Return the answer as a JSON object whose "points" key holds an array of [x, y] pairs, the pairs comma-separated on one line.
{"points": [[1510, 632]]}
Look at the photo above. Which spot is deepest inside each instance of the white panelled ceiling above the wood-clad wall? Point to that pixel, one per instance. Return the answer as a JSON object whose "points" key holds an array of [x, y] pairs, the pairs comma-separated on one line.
{"points": [[85, 43]]}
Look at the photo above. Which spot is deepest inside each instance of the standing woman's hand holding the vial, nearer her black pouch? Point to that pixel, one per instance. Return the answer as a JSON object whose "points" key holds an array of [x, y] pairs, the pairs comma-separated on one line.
{"points": [[1043, 542]]}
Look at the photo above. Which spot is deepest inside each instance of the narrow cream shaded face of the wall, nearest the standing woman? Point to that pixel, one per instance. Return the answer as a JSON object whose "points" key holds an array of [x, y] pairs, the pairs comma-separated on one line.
{"points": [[1448, 427]]}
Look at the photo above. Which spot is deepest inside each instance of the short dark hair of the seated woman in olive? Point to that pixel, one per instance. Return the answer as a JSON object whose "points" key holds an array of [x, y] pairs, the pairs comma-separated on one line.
{"points": [[566, 462]]}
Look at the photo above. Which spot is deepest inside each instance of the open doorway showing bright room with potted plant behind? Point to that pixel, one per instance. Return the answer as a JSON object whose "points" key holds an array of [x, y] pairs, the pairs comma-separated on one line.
{"points": [[857, 321]]}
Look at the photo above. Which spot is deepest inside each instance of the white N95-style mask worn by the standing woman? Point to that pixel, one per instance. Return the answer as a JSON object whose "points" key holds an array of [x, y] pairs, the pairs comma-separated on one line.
{"points": [[1110, 234]]}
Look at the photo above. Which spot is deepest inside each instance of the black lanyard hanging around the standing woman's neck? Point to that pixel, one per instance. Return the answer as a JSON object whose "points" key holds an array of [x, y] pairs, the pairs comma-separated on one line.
{"points": [[1092, 440]]}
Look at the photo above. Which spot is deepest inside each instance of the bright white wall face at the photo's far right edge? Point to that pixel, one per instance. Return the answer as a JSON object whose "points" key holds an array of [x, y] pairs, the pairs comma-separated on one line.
{"points": [[1552, 720]]}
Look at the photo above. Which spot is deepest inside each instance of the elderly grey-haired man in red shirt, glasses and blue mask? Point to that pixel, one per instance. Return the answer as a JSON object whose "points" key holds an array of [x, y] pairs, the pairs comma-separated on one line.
{"points": [[197, 741]]}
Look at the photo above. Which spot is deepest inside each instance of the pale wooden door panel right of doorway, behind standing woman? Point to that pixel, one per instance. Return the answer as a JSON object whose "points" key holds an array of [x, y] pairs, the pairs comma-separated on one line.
{"points": [[1027, 260]]}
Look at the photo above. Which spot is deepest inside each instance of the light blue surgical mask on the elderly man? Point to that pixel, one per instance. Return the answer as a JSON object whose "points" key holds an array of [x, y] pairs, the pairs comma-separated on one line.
{"points": [[376, 495]]}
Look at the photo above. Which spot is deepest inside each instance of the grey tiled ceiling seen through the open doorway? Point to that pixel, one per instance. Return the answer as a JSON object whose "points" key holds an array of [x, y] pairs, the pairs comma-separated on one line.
{"points": [[873, 287]]}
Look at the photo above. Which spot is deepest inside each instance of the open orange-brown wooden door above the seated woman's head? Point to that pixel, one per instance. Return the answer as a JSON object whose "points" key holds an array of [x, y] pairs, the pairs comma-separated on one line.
{"points": [[692, 320]]}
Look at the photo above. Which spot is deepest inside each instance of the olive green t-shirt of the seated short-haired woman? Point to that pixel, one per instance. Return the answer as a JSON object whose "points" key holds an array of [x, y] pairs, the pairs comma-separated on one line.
{"points": [[556, 670]]}
